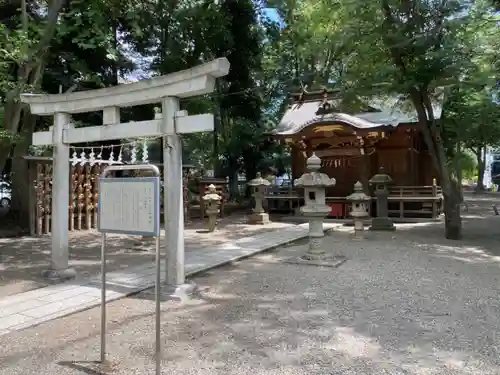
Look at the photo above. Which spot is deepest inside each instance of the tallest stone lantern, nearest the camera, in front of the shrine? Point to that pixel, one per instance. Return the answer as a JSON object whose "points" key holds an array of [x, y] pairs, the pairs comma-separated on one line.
{"points": [[315, 208]]}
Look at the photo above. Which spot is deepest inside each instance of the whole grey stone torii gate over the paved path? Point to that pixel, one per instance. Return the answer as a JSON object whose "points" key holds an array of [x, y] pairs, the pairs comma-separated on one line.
{"points": [[171, 124]]}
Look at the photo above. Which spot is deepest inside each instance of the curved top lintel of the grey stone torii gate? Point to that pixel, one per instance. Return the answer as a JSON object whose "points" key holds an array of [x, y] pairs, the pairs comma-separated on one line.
{"points": [[186, 83]]}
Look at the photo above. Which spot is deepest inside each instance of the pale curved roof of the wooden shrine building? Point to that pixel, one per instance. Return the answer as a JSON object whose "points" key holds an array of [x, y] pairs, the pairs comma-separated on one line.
{"points": [[383, 114]]}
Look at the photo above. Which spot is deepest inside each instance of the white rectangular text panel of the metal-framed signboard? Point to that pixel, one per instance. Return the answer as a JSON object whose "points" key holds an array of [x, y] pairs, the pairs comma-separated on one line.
{"points": [[130, 206]]}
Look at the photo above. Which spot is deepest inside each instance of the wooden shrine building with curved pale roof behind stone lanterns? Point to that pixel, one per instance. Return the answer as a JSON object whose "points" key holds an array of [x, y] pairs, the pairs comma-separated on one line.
{"points": [[355, 144]]}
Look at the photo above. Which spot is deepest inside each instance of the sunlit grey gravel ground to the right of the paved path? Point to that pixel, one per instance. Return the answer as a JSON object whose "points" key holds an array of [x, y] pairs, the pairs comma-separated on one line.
{"points": [[392, 308]]}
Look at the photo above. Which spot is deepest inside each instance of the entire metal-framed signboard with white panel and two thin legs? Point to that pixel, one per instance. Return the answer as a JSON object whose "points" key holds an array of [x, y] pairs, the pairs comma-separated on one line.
{"points": [[130, 205]]}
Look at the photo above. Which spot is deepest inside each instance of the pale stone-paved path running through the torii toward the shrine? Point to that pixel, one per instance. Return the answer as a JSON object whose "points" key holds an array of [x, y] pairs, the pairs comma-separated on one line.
{"points": [[55, 301]]}
